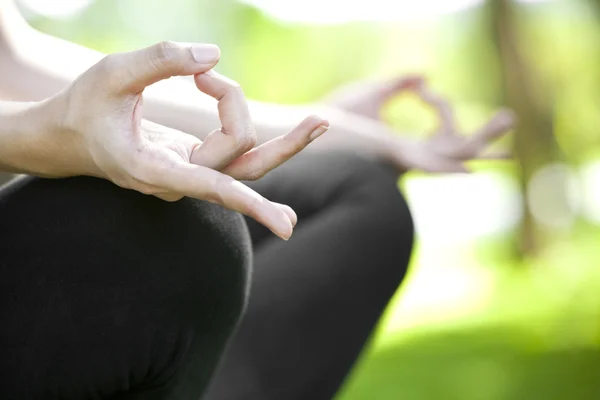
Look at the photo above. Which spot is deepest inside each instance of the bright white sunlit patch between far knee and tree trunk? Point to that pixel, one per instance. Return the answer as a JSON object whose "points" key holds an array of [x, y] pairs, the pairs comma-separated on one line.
{"points": [[445, 284]]}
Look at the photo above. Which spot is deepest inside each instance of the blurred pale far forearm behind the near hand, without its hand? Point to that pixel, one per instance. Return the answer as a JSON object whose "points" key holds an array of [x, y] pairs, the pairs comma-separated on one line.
{"points": [[42, 70]]}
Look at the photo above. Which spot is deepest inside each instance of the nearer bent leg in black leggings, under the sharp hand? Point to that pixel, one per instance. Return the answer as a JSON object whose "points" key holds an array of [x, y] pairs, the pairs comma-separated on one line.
{"points": [[108, 293]]}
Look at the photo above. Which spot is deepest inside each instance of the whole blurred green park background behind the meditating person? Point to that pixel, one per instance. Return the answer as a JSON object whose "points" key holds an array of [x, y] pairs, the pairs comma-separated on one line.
{"points": [[503, 297]]}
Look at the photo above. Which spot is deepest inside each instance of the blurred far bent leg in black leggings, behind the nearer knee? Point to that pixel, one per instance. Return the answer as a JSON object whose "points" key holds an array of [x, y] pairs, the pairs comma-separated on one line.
{"points": [[316, 299]]}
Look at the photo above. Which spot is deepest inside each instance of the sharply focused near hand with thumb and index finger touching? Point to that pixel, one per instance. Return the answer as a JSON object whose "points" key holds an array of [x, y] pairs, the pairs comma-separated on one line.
{"points": [[102, 134]]}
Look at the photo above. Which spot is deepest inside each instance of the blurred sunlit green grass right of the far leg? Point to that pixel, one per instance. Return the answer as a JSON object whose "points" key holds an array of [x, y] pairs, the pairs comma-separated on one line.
{"points": [[514, 331]]}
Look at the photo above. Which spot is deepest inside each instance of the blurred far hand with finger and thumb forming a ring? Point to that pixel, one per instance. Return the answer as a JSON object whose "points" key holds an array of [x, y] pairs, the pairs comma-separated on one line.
{"points": [[446, 150]]}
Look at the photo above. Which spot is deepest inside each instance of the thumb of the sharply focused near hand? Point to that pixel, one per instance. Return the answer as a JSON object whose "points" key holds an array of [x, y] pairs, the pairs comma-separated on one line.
{"points": [[133, 71]]}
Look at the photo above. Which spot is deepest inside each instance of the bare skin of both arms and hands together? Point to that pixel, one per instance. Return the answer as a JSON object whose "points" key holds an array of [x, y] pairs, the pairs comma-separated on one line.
{"points": [[85, 118]]}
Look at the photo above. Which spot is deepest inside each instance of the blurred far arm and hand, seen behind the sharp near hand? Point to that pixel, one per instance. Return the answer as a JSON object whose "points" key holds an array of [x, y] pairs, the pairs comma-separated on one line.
{"points": [[36, 69]]}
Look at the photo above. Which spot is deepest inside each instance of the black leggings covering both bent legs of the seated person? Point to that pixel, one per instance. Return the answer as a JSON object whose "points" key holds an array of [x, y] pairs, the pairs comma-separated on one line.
{"points": [[106, 293]]}
